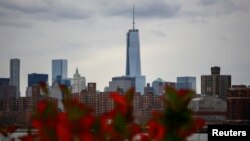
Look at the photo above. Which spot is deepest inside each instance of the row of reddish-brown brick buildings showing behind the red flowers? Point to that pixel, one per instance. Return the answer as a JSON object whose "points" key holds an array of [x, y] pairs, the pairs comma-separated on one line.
{"points": [[18, 110]]}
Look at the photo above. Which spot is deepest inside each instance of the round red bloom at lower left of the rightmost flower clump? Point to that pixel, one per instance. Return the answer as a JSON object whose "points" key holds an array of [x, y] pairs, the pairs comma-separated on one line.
{"points": [[156, 130]]}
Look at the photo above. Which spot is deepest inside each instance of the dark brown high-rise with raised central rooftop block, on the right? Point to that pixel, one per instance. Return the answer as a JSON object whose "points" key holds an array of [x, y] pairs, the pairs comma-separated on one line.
{"points": [[215, 84]]}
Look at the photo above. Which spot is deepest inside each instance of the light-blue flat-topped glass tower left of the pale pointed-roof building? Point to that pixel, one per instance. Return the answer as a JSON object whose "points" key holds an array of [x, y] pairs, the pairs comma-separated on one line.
{"points": [[59, 69]]}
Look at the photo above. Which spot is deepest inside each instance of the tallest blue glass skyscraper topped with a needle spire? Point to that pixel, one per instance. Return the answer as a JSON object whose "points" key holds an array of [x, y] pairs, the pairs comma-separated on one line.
{"points": [[133, 62]]}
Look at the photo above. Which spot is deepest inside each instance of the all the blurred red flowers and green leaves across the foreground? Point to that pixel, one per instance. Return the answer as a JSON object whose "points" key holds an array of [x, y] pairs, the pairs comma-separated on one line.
{"points": [[77, 121]]}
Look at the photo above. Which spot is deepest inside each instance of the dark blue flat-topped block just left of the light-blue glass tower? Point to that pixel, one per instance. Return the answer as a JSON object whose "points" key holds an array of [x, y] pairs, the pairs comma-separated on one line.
{"points": [[35, 78]]}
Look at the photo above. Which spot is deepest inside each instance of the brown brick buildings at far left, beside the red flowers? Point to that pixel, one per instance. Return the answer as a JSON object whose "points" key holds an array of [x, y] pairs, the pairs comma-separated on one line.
{"points": [[18, 110]]}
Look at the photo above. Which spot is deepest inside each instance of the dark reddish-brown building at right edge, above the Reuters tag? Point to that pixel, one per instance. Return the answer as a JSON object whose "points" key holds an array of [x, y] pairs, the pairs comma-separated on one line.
{"points": [[238, 105]]}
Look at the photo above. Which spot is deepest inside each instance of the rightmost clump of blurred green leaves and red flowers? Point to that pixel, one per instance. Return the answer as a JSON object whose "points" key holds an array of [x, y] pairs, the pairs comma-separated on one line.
{"points": [[175, 123]]}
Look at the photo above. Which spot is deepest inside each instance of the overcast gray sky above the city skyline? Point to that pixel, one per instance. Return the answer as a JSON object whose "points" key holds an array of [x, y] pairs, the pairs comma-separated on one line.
{"points": [[177, 37]]}
